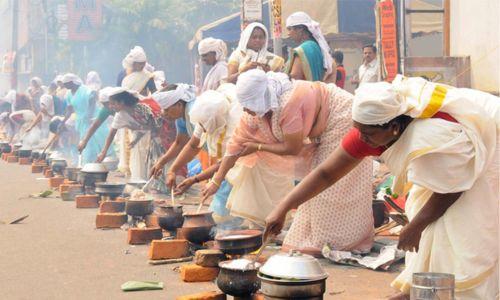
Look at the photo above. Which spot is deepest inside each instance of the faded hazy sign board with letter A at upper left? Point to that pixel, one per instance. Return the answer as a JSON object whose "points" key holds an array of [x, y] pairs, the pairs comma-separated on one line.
{"points": [[84, 19]]}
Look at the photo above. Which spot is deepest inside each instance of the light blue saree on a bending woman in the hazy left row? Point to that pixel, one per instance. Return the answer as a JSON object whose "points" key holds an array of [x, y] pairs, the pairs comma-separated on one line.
{"points": [[81, 103]]}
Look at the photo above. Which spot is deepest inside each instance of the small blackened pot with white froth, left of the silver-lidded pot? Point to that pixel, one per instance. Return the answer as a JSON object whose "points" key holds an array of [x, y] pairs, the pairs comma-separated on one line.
{"points": [[237, 282]]}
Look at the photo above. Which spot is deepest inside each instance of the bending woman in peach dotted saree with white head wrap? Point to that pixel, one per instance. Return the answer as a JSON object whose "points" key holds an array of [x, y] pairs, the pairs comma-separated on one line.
{"points": [[284, 122]]}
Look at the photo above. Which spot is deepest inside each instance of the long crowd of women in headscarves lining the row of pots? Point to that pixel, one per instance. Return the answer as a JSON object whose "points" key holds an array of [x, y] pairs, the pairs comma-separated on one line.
{"points": [[282, 146]]}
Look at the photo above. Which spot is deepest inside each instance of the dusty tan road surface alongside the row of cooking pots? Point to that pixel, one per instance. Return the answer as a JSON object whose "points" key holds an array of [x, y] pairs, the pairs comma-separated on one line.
{"points": [[57, 253]]}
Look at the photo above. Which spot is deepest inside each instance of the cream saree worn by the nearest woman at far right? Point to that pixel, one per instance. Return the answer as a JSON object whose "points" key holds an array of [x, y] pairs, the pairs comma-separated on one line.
{"points": [[434, 155]]}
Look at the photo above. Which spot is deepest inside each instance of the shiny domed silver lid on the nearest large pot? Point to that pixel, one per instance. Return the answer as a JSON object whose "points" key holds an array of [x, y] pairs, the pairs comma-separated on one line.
{"points": [[293, 266]]}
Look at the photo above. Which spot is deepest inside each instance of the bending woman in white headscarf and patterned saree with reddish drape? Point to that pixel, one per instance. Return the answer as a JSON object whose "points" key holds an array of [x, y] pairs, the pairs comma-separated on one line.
{"points": [[151, 134]]}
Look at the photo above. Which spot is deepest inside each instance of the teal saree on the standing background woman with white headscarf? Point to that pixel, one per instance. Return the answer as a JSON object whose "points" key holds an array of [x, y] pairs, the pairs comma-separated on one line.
{"points": [[311, 57]]}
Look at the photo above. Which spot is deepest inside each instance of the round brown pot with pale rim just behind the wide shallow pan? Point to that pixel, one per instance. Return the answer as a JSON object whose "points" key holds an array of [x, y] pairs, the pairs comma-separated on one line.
{"points": [[197, 227]]}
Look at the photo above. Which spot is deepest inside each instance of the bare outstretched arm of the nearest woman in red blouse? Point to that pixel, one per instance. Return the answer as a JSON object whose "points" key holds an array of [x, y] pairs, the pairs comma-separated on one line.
{"points": [[336, 166]]}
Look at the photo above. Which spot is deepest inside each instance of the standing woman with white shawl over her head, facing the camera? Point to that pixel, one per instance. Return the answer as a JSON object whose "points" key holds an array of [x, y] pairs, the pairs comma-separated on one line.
{"points": [[252, 53]]}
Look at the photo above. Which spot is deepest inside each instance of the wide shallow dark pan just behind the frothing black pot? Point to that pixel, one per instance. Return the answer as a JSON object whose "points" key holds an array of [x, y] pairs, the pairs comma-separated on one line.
{"points": [[239, 241]]}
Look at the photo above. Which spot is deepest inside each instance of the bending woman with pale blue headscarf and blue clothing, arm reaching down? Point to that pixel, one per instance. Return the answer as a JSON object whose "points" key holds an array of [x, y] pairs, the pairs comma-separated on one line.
{"points": [[176, 103]]}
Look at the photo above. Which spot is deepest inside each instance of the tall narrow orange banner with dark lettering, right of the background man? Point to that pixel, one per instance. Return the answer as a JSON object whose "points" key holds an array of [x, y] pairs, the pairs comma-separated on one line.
{"points": [[388, 40]]}
